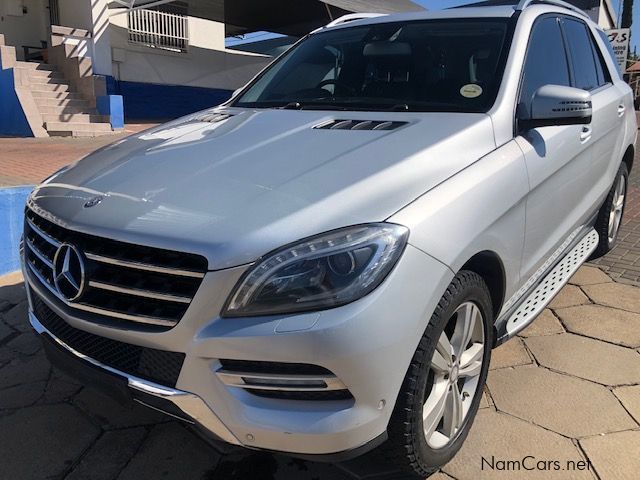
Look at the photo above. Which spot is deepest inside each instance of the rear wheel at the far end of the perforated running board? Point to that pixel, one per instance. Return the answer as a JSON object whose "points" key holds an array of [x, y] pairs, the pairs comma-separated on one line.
{"points": [[608, 222]]}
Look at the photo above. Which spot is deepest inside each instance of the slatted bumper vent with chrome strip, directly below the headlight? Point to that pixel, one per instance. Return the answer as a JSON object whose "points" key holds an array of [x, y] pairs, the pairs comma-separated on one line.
{"points": [[283, 381]]}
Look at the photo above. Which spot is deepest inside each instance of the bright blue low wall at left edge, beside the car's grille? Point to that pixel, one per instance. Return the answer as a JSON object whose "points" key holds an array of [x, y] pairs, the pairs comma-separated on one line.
{"points": [[12, 201]]}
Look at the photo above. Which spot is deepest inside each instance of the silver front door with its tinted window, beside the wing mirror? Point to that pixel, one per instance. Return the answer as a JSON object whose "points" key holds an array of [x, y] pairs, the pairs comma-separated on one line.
{"points": [[559, 159]]}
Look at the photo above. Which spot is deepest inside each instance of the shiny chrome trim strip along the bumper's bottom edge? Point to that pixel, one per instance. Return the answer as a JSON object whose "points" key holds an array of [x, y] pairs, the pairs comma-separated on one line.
{"points": [[189, 403]]}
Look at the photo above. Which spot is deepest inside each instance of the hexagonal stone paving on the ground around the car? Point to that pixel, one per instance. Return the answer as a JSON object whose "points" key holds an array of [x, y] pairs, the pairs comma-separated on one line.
{"points": [[562, 402]]}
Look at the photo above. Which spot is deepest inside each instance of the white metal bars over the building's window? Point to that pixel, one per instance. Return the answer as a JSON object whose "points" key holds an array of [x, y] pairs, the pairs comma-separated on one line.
{"points": [[156, 29]]}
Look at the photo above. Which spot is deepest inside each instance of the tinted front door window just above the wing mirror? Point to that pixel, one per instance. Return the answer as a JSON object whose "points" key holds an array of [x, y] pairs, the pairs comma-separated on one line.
{"points": [[546, 61]]}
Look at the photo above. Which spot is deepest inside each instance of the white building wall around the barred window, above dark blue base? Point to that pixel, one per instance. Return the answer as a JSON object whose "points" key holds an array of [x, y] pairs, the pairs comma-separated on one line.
{"points": [[205, 64]]}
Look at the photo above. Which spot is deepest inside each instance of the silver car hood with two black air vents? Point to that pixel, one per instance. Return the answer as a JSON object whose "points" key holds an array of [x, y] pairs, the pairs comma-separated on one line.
{"points": [[233, 189]]}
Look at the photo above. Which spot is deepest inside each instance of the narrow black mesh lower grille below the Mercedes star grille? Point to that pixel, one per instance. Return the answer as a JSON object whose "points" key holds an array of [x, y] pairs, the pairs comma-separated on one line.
{"points": [[150, 364]]}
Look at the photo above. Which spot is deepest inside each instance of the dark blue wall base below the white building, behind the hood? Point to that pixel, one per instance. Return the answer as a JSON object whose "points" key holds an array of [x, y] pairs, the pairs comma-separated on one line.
{"points": [[150, 101]]}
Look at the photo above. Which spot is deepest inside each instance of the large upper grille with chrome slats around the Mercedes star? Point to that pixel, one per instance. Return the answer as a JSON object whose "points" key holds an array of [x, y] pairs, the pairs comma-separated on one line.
{"points": [[124, 283]]}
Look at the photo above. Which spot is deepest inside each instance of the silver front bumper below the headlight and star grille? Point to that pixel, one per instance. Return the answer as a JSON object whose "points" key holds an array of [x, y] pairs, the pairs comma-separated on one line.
{"points": [[368, 345]]}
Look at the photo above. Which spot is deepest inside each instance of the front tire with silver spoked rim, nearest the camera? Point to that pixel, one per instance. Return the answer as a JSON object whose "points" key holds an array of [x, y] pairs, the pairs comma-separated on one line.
{"points": [[408, 447]]}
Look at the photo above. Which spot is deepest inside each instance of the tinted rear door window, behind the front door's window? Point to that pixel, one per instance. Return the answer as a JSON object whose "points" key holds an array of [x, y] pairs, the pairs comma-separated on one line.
{"points": [[584, 65]]}
